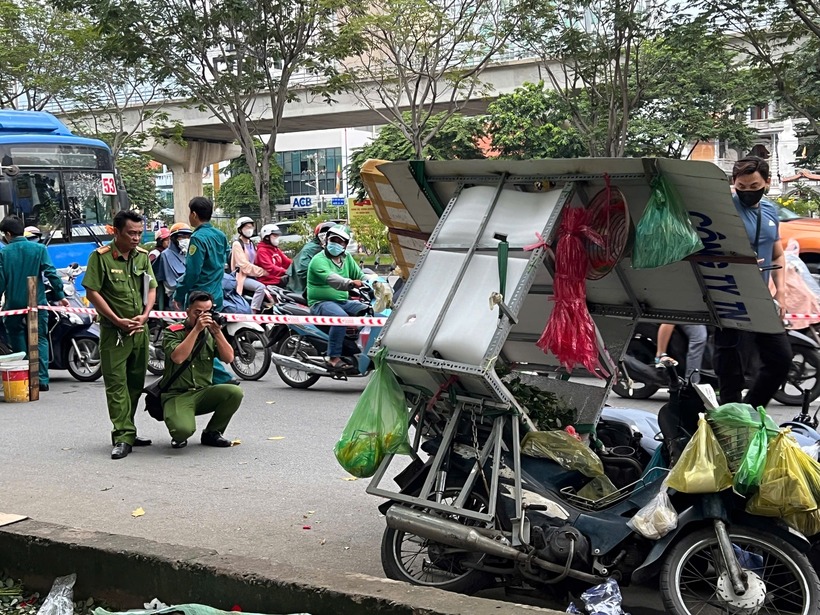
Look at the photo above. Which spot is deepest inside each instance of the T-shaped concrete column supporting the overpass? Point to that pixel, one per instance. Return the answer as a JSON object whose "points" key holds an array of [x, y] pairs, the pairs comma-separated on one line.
{"points": [[186, 163]]}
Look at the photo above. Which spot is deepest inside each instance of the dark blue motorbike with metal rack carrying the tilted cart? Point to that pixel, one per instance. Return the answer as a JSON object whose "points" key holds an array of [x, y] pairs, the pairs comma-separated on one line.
{"points": [[476, 513]]}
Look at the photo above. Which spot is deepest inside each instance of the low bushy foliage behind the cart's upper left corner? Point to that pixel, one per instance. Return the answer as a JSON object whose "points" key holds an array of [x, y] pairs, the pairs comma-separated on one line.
{"points": [[457, 139]]}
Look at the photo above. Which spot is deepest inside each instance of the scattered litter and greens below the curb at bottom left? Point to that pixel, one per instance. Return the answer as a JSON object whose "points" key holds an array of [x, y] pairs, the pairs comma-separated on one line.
{"points": [[14, 600]]}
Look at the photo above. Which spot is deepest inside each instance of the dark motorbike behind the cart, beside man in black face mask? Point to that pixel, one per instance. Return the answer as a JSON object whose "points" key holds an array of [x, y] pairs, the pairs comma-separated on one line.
{"points": [[638, 378]]}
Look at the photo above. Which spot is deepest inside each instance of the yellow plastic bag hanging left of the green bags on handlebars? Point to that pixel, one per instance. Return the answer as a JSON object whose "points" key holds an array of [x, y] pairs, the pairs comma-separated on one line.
{"points": [[702, 467]]}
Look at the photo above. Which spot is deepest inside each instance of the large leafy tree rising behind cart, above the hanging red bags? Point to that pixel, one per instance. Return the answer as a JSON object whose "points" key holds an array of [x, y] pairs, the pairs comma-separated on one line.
{"points": [[634, 78]]}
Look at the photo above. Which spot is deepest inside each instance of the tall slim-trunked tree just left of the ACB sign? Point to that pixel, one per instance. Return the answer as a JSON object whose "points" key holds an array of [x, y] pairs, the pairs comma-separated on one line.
{"points": [[236, 60]]}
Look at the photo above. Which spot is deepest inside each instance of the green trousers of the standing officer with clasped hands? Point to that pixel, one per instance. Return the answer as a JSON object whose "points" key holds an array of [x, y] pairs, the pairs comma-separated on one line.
{"points": [[124, 360]]}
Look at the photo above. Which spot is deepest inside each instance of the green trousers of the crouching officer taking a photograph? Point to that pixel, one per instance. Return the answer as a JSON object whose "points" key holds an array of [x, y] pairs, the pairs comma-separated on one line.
{"points": [[182, 409]]}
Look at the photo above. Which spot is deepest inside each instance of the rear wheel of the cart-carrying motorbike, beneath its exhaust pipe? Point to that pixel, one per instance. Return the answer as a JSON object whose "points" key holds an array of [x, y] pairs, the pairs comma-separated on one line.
{"points": [[410, 558]]}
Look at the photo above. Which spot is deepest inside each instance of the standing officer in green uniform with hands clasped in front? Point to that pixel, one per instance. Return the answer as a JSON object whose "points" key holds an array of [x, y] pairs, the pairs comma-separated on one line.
{"points": [[119, 283]]}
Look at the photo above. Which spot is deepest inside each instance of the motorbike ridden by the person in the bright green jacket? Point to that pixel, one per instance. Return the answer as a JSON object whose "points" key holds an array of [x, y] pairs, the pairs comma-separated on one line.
{"points": [[300, 349]]}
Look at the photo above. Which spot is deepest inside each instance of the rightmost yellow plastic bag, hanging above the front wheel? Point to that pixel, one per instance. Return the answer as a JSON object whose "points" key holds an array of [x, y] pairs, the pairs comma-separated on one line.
{"points": [[784, 488]]}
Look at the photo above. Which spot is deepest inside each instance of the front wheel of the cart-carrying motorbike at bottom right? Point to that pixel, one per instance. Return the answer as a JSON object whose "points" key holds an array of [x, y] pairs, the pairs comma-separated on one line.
{"points": [[780, 578]]}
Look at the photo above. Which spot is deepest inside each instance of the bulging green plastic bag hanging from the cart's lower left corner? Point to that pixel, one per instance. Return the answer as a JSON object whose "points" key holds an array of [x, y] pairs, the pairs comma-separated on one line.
{"points": [[378, 425]]}
